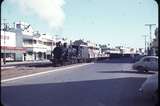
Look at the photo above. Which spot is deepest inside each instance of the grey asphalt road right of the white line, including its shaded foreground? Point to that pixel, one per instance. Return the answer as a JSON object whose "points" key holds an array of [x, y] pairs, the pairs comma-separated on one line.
{"points": [[93, 84]]}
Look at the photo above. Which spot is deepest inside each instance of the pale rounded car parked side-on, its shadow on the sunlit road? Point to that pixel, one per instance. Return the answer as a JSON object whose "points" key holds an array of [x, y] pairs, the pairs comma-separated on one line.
{"points": [[147, 63]]}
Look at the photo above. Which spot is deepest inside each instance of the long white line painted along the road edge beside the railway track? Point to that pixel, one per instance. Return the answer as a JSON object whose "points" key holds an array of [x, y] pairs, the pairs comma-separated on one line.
{"points": [[40, 73]]}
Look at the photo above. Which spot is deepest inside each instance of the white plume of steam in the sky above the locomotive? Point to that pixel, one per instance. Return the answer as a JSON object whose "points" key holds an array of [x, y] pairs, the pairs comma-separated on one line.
{"points": [[50, 11]]}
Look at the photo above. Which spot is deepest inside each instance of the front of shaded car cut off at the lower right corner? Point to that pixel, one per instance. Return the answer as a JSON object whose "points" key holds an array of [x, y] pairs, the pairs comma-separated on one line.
{"points": [[150, 87]]}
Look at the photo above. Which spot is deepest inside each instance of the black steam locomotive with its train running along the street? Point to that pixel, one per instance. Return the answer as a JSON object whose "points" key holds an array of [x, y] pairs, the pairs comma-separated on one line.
{"points": [[76, 54]]}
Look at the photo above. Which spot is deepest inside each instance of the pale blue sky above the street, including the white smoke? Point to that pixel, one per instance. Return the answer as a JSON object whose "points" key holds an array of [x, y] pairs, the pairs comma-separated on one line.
{"points": [[118, 22]]}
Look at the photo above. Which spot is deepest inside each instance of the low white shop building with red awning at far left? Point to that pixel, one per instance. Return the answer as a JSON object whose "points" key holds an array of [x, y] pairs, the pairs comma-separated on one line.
{"points": [[9, 47]]}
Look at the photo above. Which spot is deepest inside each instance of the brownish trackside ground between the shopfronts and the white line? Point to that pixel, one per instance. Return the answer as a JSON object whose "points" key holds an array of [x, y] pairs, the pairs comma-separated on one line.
{"points": [[14, 69]]}
